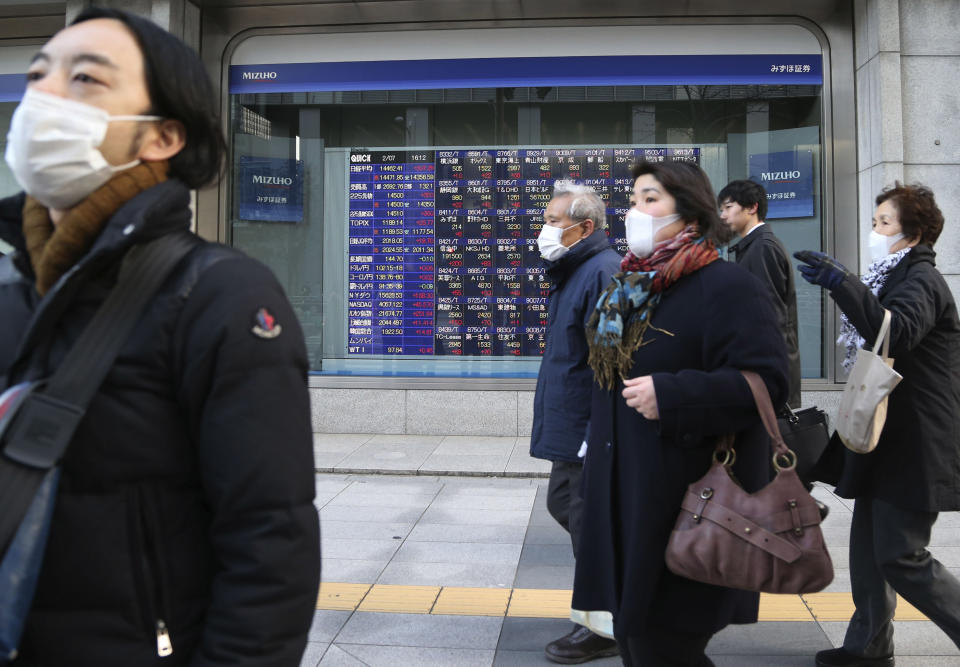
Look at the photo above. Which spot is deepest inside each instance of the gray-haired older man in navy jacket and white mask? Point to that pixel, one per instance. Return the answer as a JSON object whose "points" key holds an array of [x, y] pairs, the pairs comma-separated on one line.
{"points": [[579, 262]]}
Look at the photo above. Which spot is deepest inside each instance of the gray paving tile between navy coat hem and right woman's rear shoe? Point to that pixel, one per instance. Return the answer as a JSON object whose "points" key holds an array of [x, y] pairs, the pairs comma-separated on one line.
{"points": [[770, 638]]}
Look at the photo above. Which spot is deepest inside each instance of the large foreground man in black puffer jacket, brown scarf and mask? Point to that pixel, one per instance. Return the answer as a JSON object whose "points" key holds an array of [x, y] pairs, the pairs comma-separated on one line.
{"points": [[184, 530]]}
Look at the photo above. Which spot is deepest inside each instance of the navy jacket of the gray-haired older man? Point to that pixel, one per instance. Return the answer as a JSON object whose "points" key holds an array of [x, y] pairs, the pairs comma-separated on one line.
{"points": [[561, 404]]}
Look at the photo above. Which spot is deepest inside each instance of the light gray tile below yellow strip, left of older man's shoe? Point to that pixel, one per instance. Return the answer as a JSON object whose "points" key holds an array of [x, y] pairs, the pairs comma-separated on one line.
{"points": [[431, 630]]}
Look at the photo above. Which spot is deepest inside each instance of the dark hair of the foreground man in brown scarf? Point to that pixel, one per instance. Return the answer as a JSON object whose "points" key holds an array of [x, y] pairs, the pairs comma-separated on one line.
{"points": [[179, 89]]}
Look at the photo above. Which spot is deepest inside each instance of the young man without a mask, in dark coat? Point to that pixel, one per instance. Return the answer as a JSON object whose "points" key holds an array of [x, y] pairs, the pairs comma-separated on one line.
{"points": [[743, 206]]}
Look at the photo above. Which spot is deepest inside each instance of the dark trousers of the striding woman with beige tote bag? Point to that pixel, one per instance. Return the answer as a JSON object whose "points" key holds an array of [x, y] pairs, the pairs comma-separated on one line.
{"points": [[888, 555]]}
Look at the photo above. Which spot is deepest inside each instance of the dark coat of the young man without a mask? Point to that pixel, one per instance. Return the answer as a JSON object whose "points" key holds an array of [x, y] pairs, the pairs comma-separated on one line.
{"points": [[761, 253]]}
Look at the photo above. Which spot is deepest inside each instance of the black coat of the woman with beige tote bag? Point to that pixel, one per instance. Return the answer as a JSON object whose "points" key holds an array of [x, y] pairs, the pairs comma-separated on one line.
{"points": [[916, 464]]}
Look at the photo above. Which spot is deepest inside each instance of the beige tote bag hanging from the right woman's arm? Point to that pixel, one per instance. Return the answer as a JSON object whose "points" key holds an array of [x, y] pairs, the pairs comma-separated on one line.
{"points": [[863, 406]]}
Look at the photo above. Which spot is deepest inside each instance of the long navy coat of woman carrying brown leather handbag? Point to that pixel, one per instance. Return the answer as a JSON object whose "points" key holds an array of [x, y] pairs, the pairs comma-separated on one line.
{"points": [[720, 321]]}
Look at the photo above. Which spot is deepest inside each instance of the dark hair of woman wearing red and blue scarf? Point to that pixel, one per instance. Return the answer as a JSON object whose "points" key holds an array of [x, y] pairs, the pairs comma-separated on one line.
{"points": [[690, 187]]}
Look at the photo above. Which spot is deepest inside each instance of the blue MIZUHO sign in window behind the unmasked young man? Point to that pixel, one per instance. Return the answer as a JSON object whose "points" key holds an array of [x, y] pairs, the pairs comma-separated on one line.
{"points": [[787, 177]]}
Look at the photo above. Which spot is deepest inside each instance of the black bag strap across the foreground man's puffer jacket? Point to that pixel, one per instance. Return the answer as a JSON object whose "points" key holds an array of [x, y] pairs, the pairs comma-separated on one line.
{"points": [[45, 422]]}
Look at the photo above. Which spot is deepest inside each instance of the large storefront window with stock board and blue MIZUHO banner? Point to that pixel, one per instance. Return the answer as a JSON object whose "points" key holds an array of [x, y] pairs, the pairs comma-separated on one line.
{"points": [[402, 218]]}
